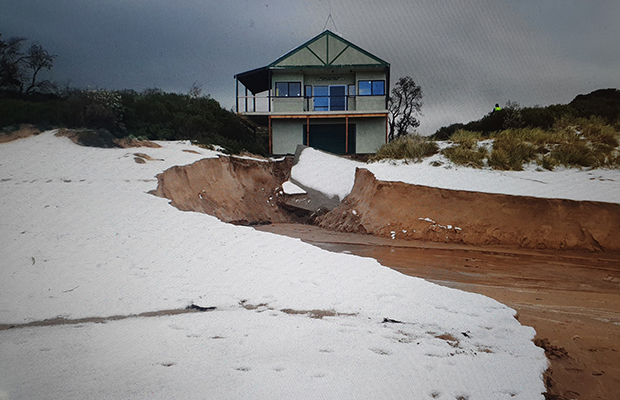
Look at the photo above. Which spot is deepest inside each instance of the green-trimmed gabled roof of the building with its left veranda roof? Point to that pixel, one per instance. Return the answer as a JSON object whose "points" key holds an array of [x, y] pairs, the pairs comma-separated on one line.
{"points": [[327, 50]]}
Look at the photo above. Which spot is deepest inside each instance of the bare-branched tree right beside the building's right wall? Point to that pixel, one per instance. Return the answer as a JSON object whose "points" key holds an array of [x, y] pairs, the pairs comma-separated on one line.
{"points": [[404, 104]]}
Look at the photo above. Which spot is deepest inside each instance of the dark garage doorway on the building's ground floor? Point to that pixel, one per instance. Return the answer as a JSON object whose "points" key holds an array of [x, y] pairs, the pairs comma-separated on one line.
{"points": [[330, 137]]}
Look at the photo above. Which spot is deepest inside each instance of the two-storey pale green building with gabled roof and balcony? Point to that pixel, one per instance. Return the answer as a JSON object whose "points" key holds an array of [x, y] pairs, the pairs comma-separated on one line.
{"points": [[327, 93]]}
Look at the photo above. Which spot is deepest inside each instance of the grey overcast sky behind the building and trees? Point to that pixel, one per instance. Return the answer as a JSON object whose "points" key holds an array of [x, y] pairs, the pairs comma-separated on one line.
{"points": [[466, 55]]}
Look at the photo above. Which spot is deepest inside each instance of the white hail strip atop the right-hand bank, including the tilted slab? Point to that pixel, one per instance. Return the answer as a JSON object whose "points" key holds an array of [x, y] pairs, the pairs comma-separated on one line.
{"points": [[437, 171]]}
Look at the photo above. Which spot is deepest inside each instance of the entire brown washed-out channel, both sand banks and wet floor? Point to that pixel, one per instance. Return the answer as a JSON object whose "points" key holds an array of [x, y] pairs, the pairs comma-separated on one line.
{"points": [[557, 262]]}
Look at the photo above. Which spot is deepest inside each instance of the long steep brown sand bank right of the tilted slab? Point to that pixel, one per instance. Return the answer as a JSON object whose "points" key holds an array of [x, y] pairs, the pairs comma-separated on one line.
{"points": [[413, 212]]}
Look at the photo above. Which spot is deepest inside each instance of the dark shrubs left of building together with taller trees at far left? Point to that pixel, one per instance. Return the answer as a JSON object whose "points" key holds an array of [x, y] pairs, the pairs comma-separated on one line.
{"points": [[104, 115]]}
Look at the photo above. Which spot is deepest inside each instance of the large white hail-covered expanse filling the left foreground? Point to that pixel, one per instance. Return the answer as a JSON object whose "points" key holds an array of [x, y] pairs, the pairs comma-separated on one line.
{"points": [[81, 238]]}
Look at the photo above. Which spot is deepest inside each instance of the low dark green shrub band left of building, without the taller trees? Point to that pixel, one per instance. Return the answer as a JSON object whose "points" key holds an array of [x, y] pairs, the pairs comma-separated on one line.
{"points": [[151, 114]]}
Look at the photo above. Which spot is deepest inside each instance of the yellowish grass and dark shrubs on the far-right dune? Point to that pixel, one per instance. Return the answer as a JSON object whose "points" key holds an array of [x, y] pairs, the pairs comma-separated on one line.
{"points": [[584, 133]]}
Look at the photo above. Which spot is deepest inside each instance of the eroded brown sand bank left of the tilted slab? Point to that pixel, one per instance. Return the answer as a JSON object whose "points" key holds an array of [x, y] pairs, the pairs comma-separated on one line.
{"points": [[236, 190]]}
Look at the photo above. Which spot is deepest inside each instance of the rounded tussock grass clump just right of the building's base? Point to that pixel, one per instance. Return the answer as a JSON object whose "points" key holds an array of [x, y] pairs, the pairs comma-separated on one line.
{"points": [[410, 147]]}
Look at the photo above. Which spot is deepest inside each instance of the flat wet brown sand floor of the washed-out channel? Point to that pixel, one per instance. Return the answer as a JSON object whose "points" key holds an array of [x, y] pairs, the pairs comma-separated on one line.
{"points": [[572, 299]]}
